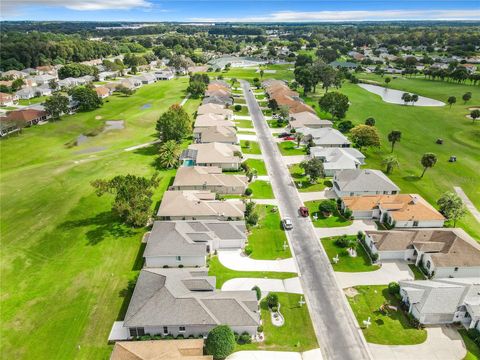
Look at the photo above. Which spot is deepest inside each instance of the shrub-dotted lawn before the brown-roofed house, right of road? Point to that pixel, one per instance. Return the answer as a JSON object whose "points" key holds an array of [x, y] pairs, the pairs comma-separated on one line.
{"points": [[360, 263]]}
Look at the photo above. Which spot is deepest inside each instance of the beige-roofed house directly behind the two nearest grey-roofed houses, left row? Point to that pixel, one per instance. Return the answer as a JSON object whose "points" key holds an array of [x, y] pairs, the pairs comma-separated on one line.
{"points": [[198, 205]]}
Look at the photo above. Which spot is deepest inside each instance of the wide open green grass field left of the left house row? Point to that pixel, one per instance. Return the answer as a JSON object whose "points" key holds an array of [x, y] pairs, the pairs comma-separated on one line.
{"points": [[66, 261]]}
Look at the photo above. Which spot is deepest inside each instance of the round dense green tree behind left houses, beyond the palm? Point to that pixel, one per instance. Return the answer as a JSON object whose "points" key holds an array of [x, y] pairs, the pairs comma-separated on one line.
{"points": [[174, 124]]}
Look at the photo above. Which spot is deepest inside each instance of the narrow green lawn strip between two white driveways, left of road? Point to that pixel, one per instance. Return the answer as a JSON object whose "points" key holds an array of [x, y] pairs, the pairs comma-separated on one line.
{"points": [[224, 274]]}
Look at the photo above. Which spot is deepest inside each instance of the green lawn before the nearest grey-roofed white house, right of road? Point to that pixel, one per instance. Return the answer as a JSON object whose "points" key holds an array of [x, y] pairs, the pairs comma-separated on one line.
{"points": [[391, 329]]}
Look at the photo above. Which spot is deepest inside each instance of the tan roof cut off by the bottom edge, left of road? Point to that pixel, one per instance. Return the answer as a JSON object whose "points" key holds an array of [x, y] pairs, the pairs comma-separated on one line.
{"points": [[186, 349]]}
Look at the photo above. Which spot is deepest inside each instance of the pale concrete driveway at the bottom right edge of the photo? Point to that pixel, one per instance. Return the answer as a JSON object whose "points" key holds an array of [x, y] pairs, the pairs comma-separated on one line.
{"points": [[443, 343]]}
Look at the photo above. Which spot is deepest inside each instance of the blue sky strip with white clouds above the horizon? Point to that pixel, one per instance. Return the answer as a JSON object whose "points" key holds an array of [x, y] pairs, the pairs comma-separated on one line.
{"points": [[239, 10]]}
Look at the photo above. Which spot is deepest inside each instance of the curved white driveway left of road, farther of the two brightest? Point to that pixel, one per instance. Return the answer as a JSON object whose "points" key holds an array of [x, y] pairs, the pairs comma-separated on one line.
{"points": [[235, 260]]}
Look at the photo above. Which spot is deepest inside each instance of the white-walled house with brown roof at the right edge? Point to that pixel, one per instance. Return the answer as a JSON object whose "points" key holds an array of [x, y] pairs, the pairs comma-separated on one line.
{"points": [[442, 253]]}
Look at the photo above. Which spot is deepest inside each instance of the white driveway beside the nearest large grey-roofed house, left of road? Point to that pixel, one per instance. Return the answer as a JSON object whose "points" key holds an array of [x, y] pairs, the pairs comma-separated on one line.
{"points": [[266, 285]]}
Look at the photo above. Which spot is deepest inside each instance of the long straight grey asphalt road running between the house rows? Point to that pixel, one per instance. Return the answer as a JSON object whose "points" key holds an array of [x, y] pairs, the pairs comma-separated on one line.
{"points": [[335, 326]]}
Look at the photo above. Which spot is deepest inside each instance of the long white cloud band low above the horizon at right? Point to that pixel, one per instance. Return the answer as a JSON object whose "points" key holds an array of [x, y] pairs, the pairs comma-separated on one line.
{"points": [[331, 16]]}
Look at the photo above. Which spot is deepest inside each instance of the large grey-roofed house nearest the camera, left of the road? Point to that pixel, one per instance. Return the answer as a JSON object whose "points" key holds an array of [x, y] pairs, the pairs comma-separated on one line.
{"points": [[186, 302]]}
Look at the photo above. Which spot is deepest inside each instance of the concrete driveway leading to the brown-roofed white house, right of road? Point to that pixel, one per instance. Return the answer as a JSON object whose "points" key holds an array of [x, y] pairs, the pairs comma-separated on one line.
{"points": [[388, 272]]}
